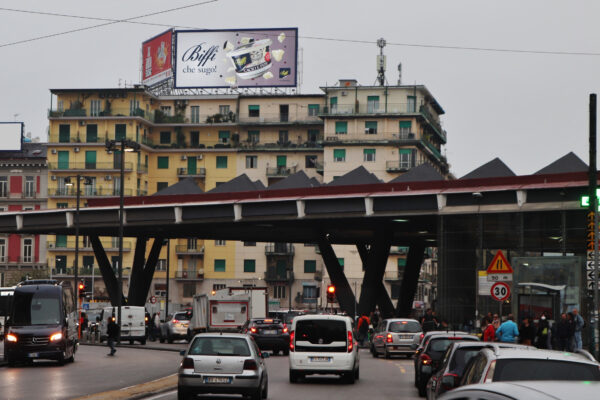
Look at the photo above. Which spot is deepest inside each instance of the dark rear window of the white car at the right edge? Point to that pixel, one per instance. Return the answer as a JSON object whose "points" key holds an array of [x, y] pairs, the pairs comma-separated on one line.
{"points": [[544, 370]]}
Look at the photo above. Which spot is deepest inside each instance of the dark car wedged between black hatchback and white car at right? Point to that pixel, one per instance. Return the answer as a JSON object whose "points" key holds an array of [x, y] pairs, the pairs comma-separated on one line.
{"points": [[457, 357]]}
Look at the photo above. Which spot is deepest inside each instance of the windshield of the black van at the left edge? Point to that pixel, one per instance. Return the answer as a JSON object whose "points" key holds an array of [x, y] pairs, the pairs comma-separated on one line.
{"points": [[36, 308]]}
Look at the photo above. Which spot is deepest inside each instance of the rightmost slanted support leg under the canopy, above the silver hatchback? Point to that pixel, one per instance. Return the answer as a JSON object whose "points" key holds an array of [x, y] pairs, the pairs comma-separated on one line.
{"points": [[408, 288]]}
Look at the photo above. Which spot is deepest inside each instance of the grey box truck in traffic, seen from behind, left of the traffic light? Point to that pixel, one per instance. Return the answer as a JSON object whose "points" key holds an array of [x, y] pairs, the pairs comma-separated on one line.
{"points": [[227, 309]]}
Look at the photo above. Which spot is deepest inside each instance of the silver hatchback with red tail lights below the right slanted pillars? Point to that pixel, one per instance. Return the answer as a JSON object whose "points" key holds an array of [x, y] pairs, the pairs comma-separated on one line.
{"points": [[395, 336]]}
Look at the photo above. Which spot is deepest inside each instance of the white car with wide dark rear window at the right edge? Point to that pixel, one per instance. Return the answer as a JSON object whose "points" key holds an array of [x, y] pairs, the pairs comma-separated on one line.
{"points": [[511, 364]]}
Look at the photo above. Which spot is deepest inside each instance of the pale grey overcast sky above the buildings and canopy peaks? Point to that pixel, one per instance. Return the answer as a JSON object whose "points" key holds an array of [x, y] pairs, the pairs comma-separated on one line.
{"points": [[528, 106]]}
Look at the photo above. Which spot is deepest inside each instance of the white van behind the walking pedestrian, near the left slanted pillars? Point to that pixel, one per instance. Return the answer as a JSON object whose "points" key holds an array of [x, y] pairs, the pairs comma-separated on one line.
{"points": [[133, 323]]}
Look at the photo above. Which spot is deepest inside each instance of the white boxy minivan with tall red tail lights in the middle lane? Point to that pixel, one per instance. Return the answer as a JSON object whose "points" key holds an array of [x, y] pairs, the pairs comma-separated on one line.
{"points": [[323, 344]]}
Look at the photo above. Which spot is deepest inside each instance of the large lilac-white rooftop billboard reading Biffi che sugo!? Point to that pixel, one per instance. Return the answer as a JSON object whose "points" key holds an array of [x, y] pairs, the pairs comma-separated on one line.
{"points": [[236, 58]]}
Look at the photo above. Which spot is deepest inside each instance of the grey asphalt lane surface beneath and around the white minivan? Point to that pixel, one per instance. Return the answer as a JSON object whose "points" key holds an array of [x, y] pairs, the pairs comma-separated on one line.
{"points": [[379, 379]]}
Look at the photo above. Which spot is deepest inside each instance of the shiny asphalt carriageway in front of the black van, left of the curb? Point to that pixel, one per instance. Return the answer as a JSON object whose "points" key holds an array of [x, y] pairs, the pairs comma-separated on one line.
{"points": [[92, 372]]}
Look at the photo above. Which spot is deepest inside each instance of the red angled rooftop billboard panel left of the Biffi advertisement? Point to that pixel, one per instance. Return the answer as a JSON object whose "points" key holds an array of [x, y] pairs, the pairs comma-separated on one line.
{"points": [[157, 58]]}
